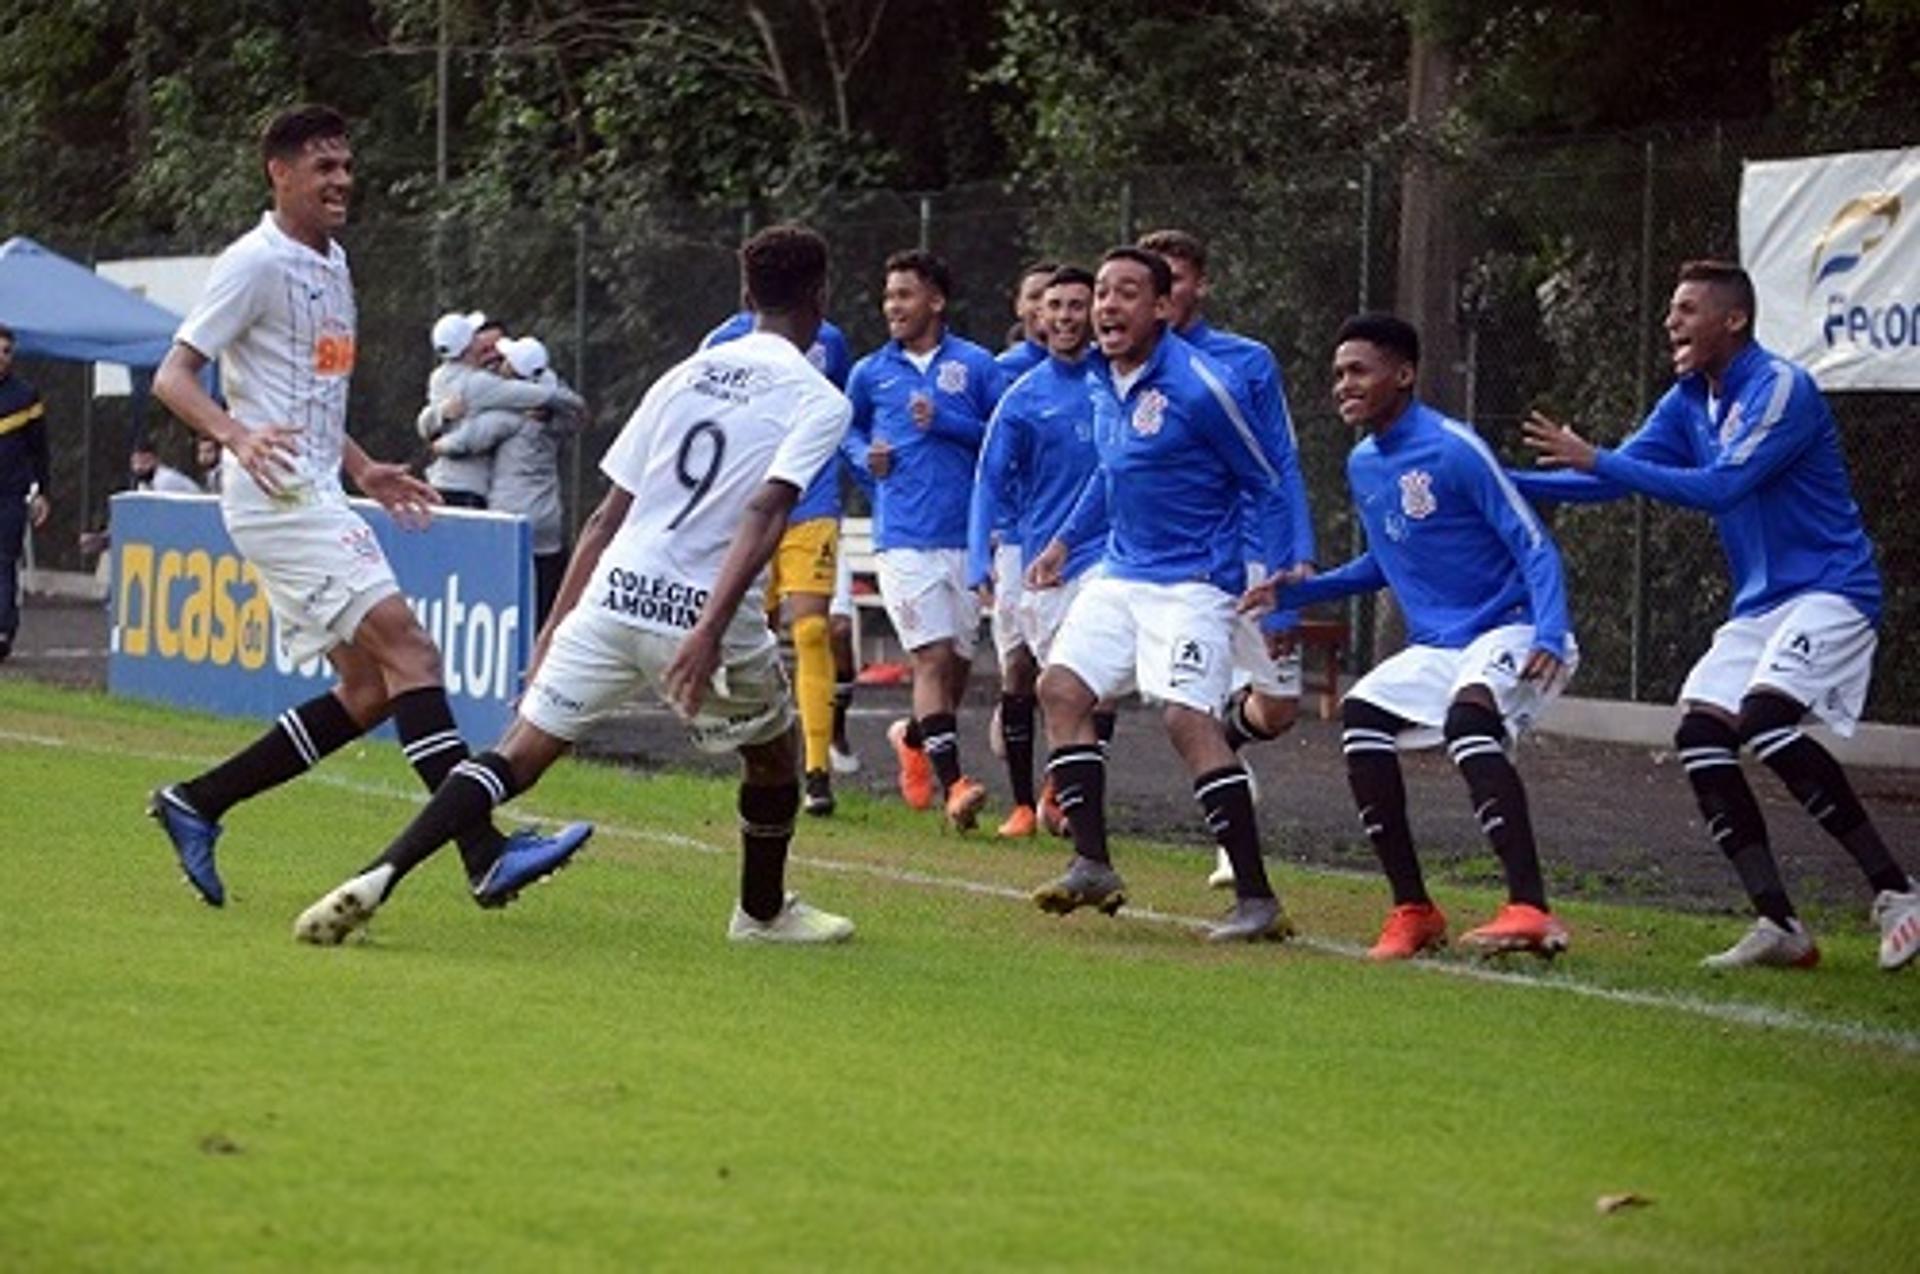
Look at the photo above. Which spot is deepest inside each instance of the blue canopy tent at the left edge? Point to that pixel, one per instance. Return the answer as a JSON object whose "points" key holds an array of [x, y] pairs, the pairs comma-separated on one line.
{"points": [[62, 310]]}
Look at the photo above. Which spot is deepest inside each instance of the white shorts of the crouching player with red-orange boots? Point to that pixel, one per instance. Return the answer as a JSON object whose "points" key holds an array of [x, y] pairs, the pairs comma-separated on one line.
{"points": [[1420, 684]]}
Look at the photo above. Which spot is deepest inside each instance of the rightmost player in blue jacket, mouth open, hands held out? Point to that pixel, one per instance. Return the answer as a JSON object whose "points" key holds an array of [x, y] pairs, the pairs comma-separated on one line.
{"points": [[1746, 438]]}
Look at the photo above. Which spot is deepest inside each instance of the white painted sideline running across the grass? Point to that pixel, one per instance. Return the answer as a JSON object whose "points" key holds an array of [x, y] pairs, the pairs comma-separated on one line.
{"points": [[1714, 1010]]}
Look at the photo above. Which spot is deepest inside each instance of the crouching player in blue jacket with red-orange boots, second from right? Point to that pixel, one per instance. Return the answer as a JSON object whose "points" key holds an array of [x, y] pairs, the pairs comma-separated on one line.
{"points": [[1479, 582]]}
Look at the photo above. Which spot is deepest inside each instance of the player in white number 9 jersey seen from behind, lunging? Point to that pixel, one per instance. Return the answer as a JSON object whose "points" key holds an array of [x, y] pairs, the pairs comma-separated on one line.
{"points": [[665, 588]]}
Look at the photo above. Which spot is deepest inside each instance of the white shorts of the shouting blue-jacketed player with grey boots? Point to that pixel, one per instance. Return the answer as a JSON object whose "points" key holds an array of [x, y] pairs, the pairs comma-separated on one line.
{"points": [[1172, 642]]}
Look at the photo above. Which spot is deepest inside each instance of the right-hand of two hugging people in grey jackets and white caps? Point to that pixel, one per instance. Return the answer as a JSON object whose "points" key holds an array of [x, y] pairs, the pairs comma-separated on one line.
{"points": [[527, 460]]}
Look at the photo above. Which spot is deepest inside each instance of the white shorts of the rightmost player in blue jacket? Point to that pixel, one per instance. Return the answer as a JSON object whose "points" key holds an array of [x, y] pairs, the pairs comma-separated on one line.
{"points": [[1817, 649]]}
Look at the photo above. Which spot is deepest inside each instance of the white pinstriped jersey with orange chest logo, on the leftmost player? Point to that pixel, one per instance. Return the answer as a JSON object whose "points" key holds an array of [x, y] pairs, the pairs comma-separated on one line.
{"points": [[279, 318]]}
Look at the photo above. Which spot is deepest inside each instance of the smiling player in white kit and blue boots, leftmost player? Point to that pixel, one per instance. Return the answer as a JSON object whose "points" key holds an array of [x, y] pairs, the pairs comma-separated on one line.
{"points": [[279, 316]]}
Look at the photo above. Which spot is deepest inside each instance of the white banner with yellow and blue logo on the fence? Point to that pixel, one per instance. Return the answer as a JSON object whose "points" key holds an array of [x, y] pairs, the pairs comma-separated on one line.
{"points": [[1835, 252]]}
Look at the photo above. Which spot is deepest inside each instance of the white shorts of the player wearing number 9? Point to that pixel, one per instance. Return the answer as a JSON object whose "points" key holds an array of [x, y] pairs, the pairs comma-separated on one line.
{"points": [[596, 663]]}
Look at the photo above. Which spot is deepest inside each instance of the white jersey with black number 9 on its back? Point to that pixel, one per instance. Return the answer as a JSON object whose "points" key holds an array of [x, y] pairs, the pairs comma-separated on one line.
{"points": [[704, 440]]}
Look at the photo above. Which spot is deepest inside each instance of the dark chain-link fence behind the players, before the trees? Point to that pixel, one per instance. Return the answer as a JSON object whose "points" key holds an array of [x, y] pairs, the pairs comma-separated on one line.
{"points": [[1560, 256]]}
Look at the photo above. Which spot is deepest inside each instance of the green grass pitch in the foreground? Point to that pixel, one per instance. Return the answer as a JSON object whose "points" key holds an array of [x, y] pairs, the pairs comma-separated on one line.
{"points": [[596, 1079]]}
